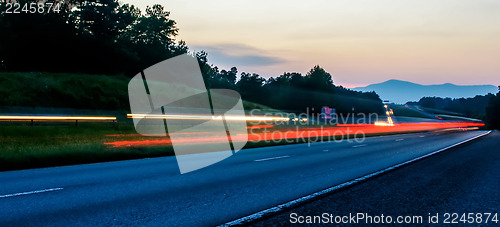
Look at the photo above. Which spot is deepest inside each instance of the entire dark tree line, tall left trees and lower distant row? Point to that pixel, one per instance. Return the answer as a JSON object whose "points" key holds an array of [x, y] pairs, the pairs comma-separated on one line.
{"points": [[106, 37]]}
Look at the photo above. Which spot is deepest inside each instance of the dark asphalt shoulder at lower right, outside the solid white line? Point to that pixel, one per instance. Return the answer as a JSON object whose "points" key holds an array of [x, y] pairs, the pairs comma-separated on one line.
{"points": [[465, 179]]}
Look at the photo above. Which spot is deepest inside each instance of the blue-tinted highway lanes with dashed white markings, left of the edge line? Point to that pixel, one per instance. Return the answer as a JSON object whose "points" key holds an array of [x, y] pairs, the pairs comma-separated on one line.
{"points": [[152, 192]]}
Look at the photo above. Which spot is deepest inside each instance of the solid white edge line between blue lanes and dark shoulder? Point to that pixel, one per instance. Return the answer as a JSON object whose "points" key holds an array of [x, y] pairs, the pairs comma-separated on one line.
{"points": [[276, 209]]}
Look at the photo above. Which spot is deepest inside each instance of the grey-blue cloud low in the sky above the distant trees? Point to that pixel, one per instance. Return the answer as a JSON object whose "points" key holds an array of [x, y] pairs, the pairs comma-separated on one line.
{"points": [[238, 55]]}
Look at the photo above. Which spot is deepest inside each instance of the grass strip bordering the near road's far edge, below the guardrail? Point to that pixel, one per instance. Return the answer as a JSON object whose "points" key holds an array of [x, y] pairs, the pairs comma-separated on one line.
{"points": [[24, 147]]}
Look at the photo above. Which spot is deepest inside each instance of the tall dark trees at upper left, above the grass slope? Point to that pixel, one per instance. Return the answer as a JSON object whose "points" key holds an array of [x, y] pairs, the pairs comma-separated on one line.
{"points": [[92, 36]]}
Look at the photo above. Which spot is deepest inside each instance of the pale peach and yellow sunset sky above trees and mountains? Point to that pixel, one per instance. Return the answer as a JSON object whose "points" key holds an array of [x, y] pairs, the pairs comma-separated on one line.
{"points": [[359, 42]]}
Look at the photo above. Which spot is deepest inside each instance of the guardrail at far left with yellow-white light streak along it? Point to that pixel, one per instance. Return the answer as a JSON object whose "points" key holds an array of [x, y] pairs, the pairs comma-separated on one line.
{"points": [[32, 119]]}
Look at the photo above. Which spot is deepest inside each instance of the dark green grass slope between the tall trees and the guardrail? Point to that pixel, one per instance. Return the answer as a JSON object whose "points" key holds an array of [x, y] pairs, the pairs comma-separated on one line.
{"points": [[60, 90]]}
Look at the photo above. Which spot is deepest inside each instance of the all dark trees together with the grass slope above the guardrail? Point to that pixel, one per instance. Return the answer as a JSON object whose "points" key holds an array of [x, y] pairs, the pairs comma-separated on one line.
{"points": [[81, 48]]}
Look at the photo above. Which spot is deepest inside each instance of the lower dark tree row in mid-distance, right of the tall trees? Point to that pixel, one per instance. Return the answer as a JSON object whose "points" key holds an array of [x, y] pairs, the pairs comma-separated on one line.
{"points": [[292, 91]]}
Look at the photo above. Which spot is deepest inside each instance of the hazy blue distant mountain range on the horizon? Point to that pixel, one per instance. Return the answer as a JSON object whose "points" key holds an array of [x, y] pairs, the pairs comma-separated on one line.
{"points": [[399, 91]]}
